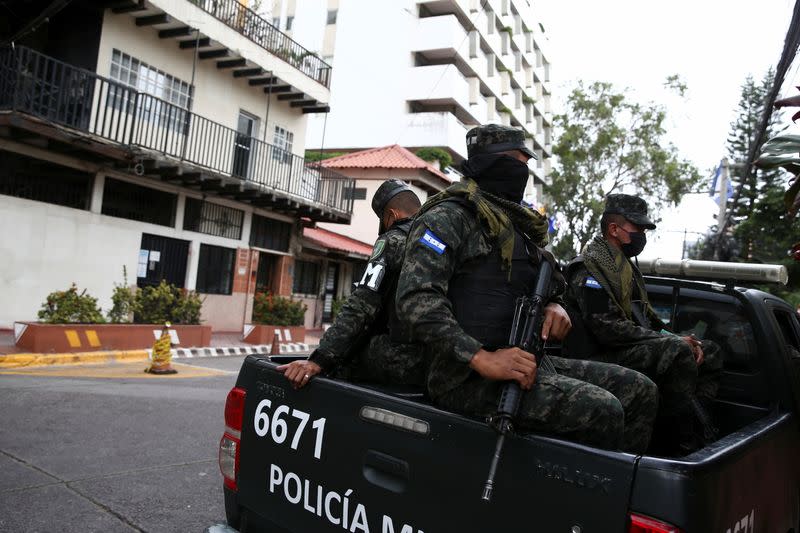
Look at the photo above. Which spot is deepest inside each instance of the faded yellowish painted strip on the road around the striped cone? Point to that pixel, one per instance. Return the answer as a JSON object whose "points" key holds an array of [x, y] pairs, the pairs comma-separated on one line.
{"points": [[128, 370]]}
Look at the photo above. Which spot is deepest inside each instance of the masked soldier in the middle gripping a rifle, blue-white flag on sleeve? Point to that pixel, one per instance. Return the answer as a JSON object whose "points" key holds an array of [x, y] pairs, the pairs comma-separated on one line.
{"points": [[472, 251]]}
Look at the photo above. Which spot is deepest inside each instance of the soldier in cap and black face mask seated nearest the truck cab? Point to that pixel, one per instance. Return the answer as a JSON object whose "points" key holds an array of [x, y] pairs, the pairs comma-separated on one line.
{"points": [[607, 291]]}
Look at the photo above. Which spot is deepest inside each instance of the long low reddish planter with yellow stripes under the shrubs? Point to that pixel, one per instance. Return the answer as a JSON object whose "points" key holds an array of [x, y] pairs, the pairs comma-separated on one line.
{"points": [[60, 338]]}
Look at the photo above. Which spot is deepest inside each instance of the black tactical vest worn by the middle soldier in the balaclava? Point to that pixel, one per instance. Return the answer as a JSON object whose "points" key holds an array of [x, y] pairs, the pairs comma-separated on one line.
{"points": [[484, 298]]}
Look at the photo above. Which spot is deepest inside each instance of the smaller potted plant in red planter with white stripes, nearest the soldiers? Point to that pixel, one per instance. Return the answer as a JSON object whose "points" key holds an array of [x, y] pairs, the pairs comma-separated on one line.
{"points": [[273, 314]]}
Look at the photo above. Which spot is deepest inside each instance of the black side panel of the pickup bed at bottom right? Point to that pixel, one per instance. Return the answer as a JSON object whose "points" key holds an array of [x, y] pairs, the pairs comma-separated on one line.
{"points": [[746, 482]]}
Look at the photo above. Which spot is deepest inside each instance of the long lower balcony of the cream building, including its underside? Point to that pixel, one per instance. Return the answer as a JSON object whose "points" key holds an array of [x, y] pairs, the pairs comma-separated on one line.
{"points": [[79, 111]]}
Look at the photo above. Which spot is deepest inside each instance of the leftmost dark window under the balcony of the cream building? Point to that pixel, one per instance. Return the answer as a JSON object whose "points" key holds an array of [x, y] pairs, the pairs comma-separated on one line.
{"points": [[34, 179]]}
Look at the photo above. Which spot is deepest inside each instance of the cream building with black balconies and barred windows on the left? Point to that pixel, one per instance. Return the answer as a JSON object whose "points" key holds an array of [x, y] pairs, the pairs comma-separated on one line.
{"points": [[165, 139]]}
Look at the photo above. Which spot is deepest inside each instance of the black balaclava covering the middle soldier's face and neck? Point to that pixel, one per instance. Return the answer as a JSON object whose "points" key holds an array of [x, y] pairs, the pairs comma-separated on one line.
{"points": [[498, 174]]}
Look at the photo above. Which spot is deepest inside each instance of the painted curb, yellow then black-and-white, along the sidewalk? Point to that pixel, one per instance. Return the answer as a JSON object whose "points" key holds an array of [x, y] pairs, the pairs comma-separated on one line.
{"points": [[24, 360]]}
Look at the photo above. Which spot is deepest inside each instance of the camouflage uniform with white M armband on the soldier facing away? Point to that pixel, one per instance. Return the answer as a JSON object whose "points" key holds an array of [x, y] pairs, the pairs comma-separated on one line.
{"points": [[358, 345]]}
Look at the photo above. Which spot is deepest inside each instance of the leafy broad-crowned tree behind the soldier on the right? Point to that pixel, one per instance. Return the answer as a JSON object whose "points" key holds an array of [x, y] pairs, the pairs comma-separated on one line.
{"points": [[608, 144]]}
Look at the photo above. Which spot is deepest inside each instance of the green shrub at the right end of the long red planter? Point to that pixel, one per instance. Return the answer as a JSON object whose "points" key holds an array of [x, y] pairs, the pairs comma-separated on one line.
{"points": [[166, 303]]}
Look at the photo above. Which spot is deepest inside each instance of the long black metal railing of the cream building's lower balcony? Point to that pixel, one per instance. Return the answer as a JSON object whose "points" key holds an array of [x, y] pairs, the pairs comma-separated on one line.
{"points": [[33, 83]]}
